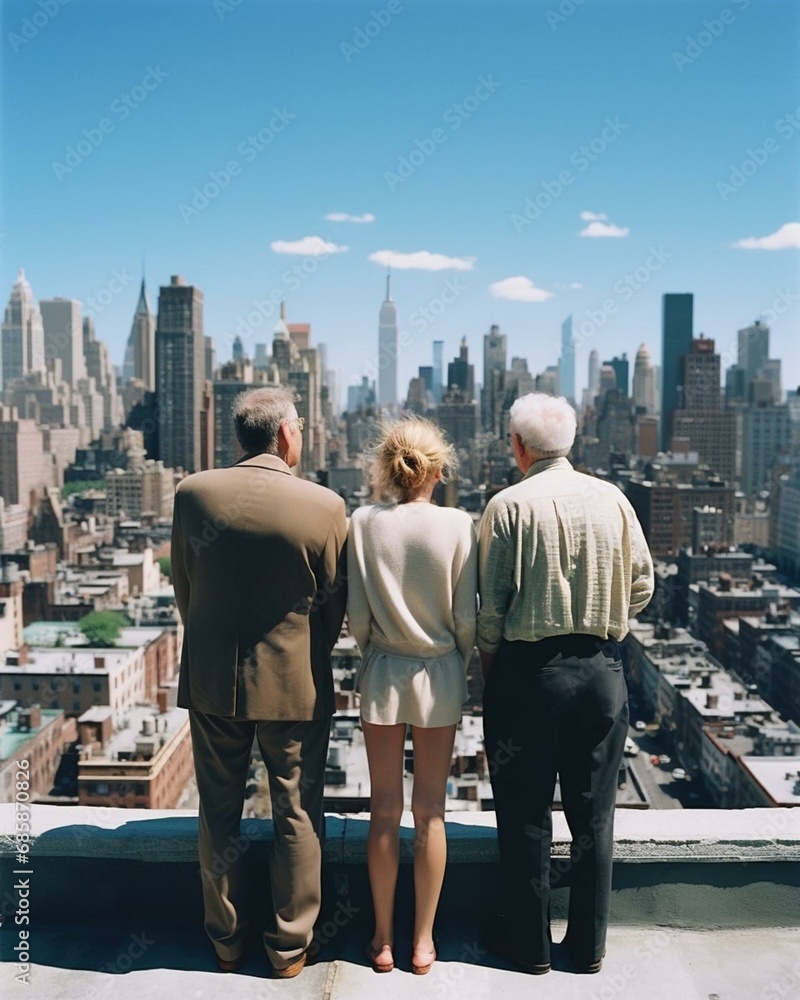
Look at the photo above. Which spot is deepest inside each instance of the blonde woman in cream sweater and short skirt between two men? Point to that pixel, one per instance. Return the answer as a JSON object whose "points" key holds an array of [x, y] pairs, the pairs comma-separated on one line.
{"points": [[412, 579]]}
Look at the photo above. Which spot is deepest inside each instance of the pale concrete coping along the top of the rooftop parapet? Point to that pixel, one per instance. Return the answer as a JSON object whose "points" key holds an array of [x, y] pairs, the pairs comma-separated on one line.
{"points": [[170, 836]]}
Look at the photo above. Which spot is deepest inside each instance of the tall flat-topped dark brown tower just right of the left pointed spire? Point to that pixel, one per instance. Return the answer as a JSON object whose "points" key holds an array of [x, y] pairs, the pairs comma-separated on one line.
{"points": [[180, 373]]}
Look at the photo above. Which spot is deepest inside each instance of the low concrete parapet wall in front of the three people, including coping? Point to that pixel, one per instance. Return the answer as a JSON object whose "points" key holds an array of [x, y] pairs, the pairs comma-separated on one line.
{"points": [[683, 868]]}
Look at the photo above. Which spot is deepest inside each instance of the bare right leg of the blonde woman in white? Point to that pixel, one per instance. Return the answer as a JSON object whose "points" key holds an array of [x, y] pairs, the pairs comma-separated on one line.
{"points": [[433, 753]]}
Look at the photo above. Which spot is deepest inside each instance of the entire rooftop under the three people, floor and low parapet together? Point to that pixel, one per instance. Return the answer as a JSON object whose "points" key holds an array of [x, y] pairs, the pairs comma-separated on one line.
{"points": [[705, 905]]}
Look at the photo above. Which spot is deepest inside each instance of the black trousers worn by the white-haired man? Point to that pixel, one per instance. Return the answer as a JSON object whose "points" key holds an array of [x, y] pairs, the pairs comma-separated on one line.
{"points": [[558, 707]]}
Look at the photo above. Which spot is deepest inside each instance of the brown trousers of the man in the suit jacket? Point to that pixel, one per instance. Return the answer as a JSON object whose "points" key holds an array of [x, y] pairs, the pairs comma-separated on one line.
{"points": [[294, 754]]}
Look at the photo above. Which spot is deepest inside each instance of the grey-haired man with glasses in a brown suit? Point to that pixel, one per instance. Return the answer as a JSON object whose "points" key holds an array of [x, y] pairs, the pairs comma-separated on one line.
{"points": [[256, 563]]}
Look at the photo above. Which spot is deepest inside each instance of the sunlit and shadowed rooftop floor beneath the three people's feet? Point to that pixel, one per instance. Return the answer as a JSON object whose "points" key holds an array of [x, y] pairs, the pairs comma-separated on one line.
{"points": [[92, 962]]}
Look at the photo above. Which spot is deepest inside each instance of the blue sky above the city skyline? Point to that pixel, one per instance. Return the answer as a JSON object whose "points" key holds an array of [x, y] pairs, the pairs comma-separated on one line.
{"points": [[648, 109]]}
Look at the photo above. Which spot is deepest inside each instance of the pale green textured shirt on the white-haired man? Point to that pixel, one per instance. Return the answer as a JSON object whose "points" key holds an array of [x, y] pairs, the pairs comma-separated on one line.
{"points": [[560, 553]]}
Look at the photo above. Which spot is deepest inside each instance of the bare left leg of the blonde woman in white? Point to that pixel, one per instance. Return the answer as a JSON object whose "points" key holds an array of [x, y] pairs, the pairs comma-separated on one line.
{"points": [[385, 755]]}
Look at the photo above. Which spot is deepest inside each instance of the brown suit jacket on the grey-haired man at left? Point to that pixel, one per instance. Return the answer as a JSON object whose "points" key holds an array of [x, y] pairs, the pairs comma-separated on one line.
{"points": [[258, 572]]}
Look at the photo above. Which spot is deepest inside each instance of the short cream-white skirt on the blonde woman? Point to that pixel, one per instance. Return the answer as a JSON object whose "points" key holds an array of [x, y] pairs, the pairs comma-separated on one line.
{"points": [[418, 692]]}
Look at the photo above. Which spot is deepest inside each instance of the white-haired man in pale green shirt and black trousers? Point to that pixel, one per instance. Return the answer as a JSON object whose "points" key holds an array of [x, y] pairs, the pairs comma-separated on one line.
{"points": [[563, 565]]}
